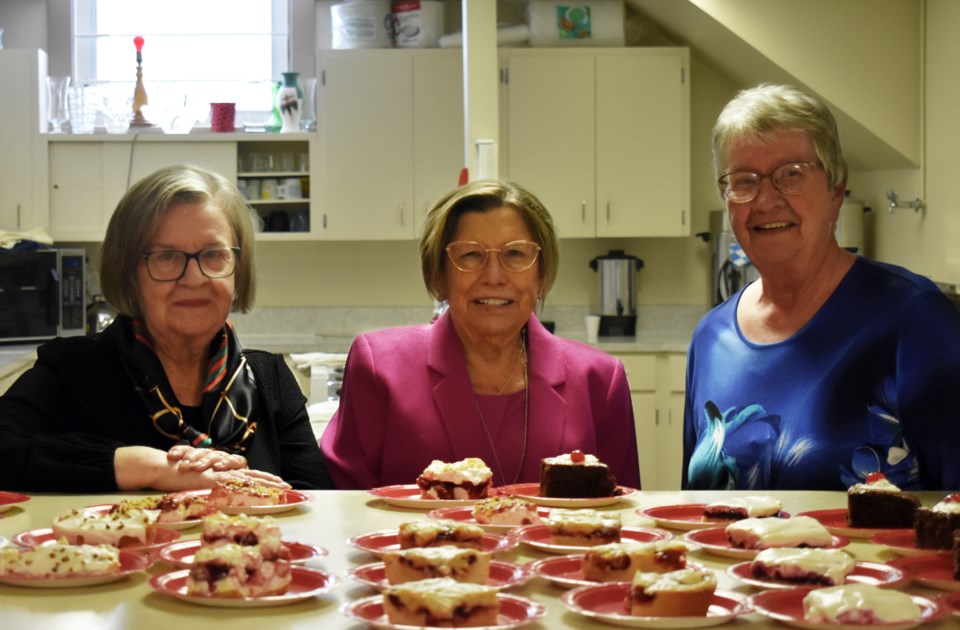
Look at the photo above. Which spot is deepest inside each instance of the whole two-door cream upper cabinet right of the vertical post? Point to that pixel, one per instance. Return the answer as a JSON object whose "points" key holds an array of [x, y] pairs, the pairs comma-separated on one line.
{"points": [[602, 137]]}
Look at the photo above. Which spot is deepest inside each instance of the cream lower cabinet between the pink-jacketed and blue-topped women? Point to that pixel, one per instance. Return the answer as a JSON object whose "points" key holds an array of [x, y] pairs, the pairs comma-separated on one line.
{"points": [[657, 385]]}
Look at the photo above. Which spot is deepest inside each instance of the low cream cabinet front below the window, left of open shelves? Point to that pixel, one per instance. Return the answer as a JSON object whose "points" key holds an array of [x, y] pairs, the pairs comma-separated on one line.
{"points": [[89, 174]]}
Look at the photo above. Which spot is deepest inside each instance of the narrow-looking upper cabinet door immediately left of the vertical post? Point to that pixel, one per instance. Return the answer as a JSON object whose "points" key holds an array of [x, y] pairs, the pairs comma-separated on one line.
{"points": [[438, 145]]}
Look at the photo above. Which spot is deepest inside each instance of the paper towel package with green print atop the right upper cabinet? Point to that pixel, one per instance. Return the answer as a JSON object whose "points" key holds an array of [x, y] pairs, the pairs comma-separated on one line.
{"points": [[573, 23]]}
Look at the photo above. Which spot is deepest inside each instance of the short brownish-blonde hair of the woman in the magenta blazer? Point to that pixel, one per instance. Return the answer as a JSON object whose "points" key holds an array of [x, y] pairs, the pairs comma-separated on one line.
{"points": [[481, 196]]}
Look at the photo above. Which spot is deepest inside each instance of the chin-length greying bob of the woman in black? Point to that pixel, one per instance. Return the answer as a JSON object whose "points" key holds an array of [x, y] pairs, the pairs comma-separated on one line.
{"points": [[139, 213]]}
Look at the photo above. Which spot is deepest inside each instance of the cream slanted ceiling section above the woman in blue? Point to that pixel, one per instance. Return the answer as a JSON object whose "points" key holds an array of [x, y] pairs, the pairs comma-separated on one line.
{"points": [[863, 57]]}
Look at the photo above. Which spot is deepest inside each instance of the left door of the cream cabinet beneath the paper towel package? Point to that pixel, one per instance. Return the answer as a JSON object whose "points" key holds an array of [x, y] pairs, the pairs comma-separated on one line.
{"points": [[550, 122]]}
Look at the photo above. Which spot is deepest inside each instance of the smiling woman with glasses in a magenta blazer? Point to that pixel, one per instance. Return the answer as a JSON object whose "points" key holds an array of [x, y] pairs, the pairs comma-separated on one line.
{"points": [[486, 379]]}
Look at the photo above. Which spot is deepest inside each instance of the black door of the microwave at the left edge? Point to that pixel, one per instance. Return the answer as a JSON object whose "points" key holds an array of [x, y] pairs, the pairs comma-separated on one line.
{"points": [[29, 288]]}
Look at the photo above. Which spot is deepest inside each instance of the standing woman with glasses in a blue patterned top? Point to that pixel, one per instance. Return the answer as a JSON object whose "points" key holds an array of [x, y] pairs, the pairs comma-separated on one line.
{"points": [[830, 367]]}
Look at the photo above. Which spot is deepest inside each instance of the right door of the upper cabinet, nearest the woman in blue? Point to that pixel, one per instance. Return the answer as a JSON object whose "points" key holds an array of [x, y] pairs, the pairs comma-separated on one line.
{"points": [[642, 150]]}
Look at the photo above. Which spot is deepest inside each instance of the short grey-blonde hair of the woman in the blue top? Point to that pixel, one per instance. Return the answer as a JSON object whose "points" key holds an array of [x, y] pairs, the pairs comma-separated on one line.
{"points": [[767, 108]]}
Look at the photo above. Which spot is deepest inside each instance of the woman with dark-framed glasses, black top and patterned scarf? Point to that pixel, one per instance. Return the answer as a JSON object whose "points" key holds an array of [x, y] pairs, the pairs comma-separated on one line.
{"points": [[165, 397]]}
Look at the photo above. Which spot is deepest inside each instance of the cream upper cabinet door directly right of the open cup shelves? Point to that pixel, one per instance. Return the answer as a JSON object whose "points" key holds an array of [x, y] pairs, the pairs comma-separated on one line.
{"points": [[366, 127]]}
